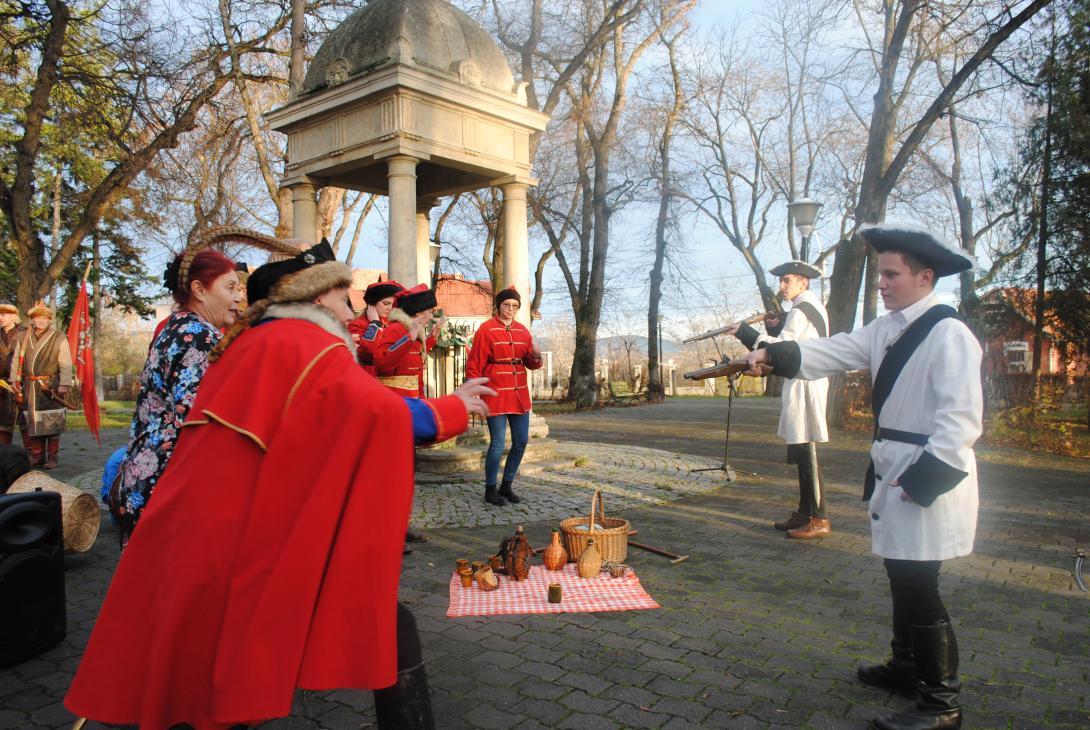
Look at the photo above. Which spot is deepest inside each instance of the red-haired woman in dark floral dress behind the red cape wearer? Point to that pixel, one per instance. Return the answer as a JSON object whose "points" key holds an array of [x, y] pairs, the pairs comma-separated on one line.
{"points": [[208, 295]]}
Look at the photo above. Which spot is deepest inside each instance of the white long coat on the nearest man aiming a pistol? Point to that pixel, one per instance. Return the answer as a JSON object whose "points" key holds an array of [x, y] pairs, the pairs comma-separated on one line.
{"points": [[939, 394]]}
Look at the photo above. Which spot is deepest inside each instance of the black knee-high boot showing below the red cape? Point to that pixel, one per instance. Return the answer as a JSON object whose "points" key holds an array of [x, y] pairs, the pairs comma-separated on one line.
{"points": [[408, 704]]}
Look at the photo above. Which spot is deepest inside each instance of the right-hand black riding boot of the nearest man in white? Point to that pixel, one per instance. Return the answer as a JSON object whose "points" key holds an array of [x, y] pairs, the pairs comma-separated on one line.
{"points": [[939, 686]]}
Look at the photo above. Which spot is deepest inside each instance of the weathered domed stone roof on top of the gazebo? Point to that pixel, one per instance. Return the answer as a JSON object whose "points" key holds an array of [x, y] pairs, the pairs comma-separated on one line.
{"points": [[427, 33]]}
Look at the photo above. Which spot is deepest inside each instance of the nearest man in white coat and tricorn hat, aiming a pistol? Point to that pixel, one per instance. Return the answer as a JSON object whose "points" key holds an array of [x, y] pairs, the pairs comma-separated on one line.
{"points": [[923, 481]]}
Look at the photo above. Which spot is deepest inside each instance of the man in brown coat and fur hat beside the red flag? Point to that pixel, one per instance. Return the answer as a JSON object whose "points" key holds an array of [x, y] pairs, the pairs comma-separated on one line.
{"points": [[42, 375]]}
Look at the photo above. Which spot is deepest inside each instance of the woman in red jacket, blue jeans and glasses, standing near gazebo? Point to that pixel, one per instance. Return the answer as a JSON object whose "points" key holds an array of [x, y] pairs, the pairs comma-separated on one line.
{"points": [[503, 351]]}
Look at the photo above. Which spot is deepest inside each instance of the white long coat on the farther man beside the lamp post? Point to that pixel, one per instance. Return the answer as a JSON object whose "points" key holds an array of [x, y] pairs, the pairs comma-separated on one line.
{"points": [[803, 410]]}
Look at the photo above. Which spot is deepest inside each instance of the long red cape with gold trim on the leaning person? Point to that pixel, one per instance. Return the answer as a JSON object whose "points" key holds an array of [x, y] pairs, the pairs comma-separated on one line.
{"points": [[270, 558]]}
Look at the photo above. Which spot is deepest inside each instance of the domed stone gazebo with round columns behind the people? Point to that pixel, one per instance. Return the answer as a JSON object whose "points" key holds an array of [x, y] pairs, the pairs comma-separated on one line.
{"points": [[415, 101]]}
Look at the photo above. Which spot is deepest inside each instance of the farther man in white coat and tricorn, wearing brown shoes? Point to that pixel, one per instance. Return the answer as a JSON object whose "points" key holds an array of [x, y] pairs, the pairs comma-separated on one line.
{"points": [[803, 412]]}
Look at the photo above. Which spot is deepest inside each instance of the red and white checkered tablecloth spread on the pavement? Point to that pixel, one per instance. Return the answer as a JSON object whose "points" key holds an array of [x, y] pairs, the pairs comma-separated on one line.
{"points": [[531, 597]]}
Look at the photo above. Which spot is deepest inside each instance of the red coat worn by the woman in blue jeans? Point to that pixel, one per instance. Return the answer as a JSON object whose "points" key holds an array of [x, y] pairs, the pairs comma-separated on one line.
{"points": [[503, 354]]}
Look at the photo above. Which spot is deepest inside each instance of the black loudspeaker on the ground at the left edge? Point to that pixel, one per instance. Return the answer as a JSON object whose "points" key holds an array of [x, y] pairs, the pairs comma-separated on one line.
{"points": [[32, 576]]}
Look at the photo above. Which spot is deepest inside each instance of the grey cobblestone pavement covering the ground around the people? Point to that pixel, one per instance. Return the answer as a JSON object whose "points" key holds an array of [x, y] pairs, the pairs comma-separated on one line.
{"points": [[755, 631]]}
